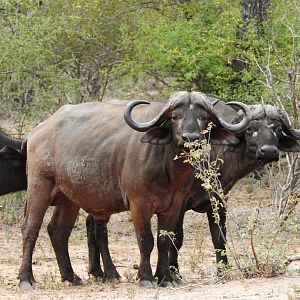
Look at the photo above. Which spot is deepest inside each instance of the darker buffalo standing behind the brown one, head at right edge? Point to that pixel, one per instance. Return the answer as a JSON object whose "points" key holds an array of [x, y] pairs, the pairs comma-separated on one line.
{"points": [[267, 133]]}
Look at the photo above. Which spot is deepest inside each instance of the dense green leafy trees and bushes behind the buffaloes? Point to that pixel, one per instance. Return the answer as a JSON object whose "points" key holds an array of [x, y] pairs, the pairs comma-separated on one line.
{"points": [[55, 52]]}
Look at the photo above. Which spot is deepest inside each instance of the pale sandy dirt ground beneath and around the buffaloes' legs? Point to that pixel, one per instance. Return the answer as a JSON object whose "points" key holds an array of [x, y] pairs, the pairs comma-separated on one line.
{"points": [[197, 261]]}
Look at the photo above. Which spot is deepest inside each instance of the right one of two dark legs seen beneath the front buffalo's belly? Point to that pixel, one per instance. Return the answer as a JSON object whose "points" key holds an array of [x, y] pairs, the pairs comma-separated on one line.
{"points": [[101, 238]]}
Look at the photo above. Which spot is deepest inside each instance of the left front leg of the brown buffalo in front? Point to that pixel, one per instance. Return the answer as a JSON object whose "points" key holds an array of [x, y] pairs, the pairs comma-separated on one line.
{"points": [[142, 226]]}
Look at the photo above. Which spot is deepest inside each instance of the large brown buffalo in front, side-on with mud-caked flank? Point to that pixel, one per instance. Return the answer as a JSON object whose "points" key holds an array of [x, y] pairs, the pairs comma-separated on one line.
{"points": [[84, 156]]}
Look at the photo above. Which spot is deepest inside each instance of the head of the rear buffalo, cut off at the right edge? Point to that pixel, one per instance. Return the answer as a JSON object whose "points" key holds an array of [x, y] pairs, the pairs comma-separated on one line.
{"points": [[268, 132]]}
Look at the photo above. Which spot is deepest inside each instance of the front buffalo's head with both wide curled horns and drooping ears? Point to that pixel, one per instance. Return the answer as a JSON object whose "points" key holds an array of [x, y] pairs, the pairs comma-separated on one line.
{"points": [[183, 118]]}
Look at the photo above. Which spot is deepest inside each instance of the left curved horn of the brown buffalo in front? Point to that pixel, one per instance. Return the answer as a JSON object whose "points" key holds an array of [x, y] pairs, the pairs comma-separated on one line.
{"points": [[161, 118]]}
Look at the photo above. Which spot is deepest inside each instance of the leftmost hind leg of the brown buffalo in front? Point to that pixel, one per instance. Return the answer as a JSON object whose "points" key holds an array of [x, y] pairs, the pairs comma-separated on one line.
{"points": [[36, 206]]}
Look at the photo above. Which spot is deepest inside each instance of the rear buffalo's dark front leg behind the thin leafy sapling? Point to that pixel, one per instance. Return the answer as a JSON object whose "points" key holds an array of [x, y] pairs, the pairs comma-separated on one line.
{"points": [[218, 234]]}
